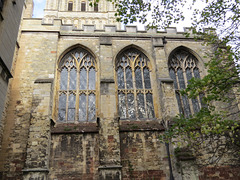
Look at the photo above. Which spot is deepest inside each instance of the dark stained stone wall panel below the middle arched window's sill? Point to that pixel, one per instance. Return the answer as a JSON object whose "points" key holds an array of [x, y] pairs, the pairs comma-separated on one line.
{"points": [[143, 156]]}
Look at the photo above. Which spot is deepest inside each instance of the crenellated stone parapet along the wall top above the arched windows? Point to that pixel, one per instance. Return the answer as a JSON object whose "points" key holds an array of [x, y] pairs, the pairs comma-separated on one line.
{"points": [[56, 25]]}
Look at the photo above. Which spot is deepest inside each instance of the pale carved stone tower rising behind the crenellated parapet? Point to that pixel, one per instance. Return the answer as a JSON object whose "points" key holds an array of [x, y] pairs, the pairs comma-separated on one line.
{"points": [[78, 12]]}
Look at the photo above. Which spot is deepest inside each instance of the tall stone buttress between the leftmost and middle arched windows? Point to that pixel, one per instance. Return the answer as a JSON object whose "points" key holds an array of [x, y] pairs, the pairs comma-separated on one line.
{"points": [[109, 150]]}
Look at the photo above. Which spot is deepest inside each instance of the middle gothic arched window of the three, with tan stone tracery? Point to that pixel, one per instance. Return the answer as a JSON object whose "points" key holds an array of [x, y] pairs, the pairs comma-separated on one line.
{"points": [[135, 98]]}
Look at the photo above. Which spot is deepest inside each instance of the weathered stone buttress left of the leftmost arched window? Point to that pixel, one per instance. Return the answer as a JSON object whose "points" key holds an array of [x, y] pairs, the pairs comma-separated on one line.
{"points": [[36, 165]]}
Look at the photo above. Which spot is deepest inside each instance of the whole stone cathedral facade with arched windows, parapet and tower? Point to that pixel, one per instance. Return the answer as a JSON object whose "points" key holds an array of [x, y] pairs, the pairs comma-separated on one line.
{"points": [[88, 99]]}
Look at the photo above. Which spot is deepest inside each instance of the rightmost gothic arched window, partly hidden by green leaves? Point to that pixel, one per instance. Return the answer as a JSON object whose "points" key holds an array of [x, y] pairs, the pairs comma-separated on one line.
{"points": [[182, 67]]}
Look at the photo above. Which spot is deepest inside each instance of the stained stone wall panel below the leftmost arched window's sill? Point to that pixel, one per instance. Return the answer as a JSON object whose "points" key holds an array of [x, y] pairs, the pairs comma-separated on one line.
{"points": [[74, 156]]}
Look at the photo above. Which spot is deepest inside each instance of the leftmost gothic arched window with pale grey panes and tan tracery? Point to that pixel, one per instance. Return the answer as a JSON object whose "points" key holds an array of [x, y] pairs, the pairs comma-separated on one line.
{"points": [[77, 91]]}
